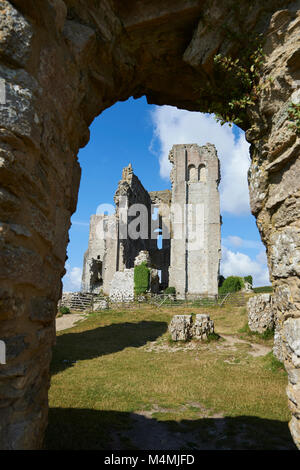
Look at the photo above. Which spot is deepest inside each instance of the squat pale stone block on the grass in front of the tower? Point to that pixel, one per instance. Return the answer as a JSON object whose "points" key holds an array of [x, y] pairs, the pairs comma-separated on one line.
{"points": [[182, 327]]}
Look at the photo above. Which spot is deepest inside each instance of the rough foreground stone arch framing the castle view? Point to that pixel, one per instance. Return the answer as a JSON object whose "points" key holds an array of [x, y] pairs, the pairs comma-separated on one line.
{"points": [[66, 64]]}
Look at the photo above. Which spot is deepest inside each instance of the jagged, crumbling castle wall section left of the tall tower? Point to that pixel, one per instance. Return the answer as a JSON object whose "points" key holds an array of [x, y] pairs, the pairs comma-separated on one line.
{"points": [[111, 249]]}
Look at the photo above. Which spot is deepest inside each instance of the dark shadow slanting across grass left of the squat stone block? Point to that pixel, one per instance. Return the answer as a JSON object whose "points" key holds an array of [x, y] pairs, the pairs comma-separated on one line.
{"points": [[89, 344]]}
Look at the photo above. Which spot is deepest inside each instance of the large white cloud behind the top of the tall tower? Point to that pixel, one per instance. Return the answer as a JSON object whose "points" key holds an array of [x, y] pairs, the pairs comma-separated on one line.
{"points": [[175, 126]]}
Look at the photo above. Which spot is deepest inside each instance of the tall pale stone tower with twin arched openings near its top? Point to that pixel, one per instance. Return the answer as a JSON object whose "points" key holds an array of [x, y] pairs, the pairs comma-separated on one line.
{"points": [[196, 237]]}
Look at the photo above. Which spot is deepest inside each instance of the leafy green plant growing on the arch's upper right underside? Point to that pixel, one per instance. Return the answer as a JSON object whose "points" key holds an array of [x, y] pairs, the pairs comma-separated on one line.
{"points": [[236, 79]]}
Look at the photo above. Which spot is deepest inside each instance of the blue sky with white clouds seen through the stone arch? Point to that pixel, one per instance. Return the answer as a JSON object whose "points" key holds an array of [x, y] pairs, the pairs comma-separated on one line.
{"points": [[141, 134]]}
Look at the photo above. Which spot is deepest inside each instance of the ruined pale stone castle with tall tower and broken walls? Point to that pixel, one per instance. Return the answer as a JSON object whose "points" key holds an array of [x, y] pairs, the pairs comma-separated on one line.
{"points": [[187, 222]]}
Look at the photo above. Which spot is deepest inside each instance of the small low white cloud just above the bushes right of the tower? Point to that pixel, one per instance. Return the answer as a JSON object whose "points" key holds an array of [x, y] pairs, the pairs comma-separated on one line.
{"points": [[240, 264]]}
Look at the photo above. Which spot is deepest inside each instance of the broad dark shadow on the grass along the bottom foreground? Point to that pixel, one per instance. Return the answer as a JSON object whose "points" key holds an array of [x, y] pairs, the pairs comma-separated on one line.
{"points": [[112, 430]]}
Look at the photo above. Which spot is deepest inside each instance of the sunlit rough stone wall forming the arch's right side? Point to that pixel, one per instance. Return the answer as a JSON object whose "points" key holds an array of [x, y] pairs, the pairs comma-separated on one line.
{"points": [[275, 187]]}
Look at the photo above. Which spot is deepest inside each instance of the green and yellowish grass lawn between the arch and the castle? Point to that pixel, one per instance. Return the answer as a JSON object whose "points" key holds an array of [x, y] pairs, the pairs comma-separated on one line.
{"points": [[118, 382]]}
